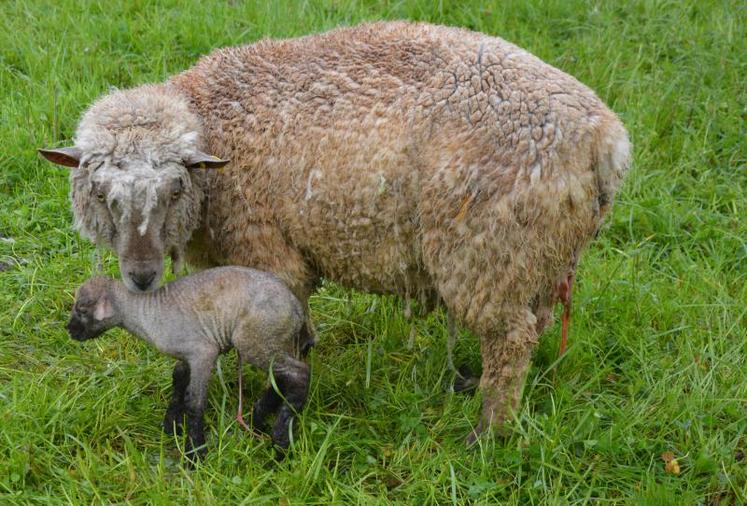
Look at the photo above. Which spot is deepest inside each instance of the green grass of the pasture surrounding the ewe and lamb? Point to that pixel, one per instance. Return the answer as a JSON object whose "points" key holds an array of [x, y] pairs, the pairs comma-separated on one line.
{"points": [[658, 343]]}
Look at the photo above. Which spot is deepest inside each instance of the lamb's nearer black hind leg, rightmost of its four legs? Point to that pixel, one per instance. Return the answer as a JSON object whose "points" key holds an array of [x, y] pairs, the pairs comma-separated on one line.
{"points": [[292, 379]]}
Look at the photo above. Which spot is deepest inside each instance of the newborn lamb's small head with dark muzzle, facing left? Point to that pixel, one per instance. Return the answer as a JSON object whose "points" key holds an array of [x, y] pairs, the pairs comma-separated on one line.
{"points": [[93, 311]]}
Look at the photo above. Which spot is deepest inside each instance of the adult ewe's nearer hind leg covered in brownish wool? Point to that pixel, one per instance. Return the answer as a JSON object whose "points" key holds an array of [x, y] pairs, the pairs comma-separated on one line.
{"points": [[505, 361]]}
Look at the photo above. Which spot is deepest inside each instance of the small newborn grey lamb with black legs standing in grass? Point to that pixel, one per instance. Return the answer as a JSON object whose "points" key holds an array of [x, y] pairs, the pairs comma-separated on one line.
{"points": [[198, 317]]}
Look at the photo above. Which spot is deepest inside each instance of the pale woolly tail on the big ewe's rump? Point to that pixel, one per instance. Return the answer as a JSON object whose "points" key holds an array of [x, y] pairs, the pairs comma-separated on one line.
{"points": [[611, 160]]}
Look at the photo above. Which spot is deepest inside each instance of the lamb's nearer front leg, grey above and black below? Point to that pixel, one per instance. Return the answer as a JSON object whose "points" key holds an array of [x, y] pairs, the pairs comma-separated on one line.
{"points": [[201, 367]]}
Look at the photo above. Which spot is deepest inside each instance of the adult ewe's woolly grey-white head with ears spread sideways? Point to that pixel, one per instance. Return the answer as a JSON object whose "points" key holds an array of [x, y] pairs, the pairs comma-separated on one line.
{"points": [[136, 179]]}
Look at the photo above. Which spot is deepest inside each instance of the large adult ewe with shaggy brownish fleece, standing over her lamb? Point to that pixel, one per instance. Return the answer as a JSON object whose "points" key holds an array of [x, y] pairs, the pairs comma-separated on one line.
{"points": [[425, 161]]}
